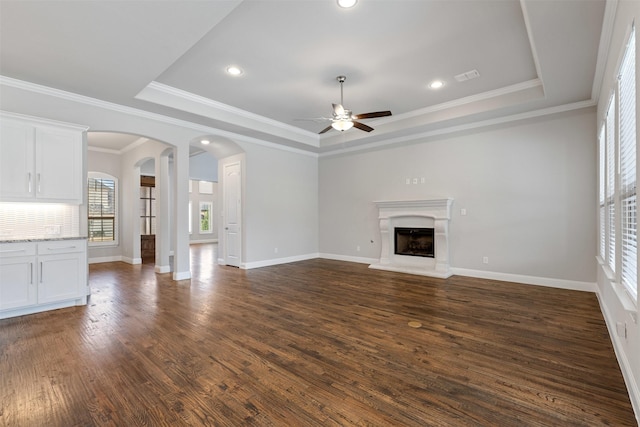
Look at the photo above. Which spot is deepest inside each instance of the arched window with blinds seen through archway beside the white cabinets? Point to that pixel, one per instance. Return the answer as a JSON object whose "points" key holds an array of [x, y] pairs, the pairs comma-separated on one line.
{"points": [[102, 209]]}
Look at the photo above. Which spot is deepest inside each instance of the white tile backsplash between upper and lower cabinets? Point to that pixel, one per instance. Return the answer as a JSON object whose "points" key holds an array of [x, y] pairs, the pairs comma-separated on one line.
{"points": [[38, 220]]}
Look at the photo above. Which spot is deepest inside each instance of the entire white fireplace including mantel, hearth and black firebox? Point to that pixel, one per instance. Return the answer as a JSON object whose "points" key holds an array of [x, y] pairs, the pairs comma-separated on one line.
{"points": [[415, 236]]}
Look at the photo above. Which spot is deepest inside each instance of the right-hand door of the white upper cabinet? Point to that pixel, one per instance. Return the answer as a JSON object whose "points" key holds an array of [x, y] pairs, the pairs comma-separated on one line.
{"points": [[58, 165]]}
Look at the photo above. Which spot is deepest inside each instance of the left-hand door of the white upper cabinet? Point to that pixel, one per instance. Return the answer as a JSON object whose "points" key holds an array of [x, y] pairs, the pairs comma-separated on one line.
{"points": [[17, 174]]}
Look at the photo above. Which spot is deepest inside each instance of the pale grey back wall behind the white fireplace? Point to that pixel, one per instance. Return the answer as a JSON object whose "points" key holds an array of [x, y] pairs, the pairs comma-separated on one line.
{"points": [[527, 188]]}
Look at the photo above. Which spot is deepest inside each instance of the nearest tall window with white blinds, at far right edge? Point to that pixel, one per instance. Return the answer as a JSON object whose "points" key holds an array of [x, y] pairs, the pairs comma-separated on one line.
{"points": [[627, 161]]}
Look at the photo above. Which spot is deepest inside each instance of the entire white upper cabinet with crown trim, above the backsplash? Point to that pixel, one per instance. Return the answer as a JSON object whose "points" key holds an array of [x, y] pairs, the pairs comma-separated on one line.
{"points": [[40, 160]]}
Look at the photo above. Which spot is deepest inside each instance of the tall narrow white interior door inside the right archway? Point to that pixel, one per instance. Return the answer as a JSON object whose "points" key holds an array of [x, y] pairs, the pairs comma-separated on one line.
{"points": [[232, 212]]}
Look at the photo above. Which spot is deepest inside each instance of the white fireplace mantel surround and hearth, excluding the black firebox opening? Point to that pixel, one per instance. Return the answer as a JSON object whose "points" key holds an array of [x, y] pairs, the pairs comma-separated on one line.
{"points": [[432, 213]]}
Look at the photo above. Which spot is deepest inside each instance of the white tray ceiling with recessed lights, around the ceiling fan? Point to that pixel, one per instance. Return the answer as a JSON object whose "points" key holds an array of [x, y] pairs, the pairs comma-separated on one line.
{"points": [[169, 57]]}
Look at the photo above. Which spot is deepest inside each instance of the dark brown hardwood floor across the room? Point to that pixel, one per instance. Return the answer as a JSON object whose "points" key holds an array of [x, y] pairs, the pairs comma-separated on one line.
{"points": [[317, 342]]}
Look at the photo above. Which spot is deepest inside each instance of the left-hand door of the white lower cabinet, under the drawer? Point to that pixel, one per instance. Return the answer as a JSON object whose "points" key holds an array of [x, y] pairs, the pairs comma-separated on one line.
{"points": [[17, 282]]}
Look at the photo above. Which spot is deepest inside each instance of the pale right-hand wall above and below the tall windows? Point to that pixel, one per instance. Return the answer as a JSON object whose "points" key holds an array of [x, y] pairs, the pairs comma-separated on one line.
{"points": [[617, 308]]}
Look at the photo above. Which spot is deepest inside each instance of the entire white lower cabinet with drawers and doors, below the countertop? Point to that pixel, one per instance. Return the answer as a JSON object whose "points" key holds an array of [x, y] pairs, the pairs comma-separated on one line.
{"points": [[40, 276]]}
